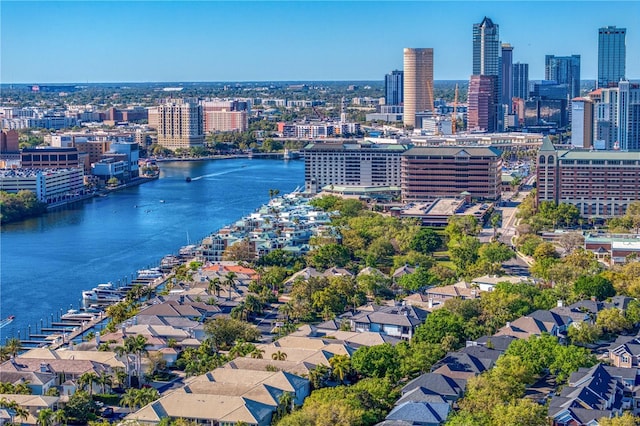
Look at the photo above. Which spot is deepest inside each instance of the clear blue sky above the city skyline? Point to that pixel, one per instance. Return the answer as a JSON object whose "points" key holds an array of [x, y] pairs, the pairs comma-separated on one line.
{"points": [[136, 41]]}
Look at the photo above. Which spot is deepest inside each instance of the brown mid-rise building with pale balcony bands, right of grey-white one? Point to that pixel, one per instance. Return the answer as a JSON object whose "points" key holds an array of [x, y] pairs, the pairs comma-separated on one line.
{"points": [[435, 172]]}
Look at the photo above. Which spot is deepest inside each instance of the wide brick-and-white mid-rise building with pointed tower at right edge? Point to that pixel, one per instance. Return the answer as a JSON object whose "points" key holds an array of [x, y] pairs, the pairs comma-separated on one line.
{"points": [[599, 183]]}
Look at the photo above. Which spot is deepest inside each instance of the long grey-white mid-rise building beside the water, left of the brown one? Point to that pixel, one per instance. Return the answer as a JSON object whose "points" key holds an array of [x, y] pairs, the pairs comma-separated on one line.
{"points": [[351, 164]]}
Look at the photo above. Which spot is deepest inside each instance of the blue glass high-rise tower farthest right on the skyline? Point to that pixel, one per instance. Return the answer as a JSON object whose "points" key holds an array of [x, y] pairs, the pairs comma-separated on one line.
{"points": [[611, 55]]}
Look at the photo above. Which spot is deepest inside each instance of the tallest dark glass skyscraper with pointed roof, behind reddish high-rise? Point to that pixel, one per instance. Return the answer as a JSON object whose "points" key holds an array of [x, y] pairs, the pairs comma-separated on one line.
{"points": [[486, 48]]}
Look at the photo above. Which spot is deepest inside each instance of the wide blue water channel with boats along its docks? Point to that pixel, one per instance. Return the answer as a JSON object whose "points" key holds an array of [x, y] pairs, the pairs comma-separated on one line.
{"points": [[46, 262]]}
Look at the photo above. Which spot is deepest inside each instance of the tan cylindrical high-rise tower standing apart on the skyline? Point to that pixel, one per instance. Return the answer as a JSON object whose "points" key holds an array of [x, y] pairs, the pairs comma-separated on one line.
{"points": [[418, 83]]}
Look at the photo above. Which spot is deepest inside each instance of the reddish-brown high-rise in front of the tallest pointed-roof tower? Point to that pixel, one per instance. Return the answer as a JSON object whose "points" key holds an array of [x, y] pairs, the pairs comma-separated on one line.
{"points": [[481, 110]]}
